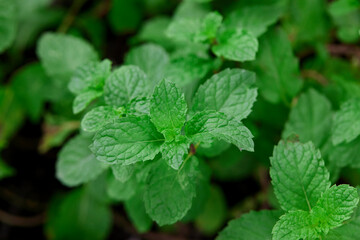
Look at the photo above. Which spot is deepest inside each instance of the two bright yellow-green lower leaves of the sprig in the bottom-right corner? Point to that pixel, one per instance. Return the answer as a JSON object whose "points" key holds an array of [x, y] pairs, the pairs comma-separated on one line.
{"points": [[333, 208]]}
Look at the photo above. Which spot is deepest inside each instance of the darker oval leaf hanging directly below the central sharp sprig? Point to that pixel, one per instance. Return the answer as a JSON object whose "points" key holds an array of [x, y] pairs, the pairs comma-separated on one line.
{"points": [[169, 193]]}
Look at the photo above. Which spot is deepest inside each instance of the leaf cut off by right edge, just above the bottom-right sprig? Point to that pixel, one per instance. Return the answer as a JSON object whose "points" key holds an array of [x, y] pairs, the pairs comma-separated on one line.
{"points": [[346, 125]]}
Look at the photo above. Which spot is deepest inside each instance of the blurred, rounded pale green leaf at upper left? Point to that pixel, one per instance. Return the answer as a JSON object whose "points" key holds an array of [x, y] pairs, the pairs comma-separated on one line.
{"points": [[61, 55]]}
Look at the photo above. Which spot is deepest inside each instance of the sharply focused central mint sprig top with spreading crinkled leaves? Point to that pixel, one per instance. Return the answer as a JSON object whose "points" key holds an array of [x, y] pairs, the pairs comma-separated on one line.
{"points": [[216, 114]]}
